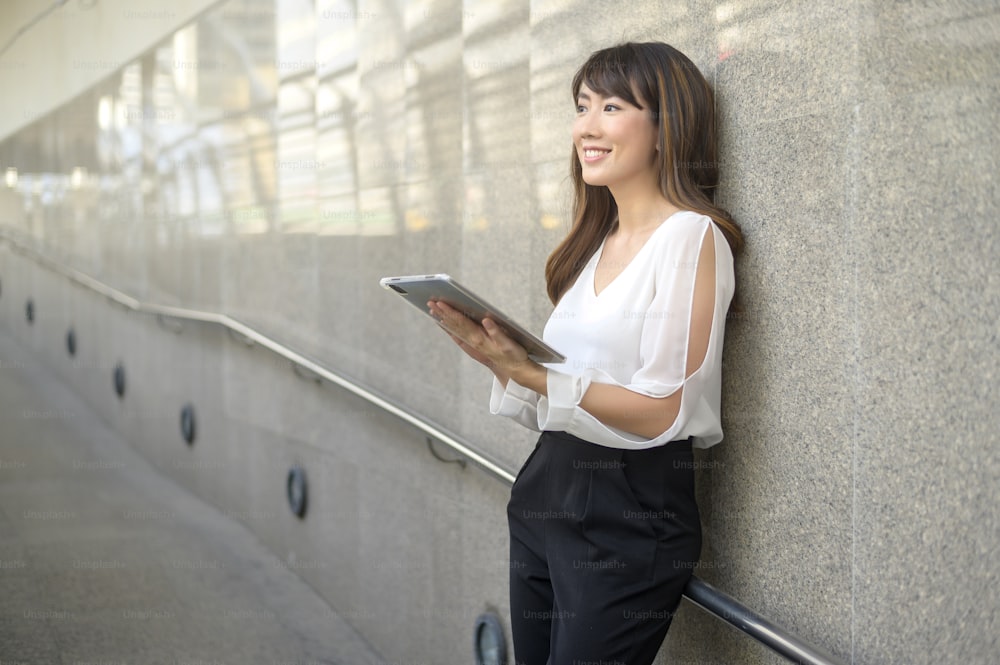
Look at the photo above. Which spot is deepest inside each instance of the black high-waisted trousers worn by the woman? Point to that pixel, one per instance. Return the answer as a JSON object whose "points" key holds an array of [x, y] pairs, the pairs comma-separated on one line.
{"points": [[602, 542]]}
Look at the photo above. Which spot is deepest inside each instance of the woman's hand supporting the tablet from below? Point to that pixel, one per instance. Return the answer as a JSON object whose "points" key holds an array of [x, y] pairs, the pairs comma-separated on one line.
{"points": [[484, 342]]}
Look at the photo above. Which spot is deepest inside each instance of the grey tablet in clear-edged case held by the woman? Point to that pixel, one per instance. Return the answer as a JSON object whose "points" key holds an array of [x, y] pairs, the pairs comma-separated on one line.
{"points": [[418, 289]]}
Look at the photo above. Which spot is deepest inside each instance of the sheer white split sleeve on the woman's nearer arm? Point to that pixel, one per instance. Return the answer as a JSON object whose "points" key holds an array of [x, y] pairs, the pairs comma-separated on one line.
{"points": [[663, 346]]}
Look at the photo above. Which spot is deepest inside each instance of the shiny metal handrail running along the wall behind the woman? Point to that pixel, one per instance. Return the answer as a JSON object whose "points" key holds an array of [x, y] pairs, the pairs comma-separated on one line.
{"points": [[699, 592]]}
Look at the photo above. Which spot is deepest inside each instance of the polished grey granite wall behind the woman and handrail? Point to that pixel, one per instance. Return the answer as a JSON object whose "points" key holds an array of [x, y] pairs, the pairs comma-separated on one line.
{"points": [[273, 160]]}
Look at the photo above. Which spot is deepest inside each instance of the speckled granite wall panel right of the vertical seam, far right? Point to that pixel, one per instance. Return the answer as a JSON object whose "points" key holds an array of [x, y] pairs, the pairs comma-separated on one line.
{"points": [[926, 530]]}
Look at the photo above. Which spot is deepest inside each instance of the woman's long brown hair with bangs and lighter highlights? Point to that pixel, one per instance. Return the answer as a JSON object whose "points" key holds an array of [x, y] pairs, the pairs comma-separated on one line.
{"points": [[681, 104]]}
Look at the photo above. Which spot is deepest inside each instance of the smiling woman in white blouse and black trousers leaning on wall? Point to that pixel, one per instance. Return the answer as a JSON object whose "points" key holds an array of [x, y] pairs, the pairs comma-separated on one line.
{"points": [[603, 521]]}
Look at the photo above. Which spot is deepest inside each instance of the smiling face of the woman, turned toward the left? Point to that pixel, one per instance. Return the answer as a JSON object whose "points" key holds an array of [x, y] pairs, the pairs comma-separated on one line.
{"points": [[615, 141]]}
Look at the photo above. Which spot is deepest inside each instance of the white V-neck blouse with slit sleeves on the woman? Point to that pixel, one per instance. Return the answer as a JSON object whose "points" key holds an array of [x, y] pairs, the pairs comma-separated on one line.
{"points": [[633, 334]]}
